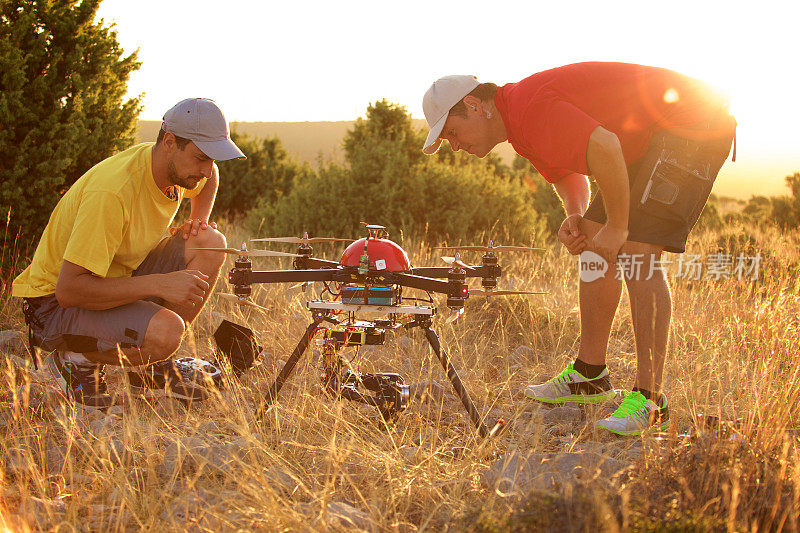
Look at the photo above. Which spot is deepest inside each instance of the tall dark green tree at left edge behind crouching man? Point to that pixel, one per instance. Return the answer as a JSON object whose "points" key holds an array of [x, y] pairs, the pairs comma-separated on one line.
{"points": [[62, 82]]}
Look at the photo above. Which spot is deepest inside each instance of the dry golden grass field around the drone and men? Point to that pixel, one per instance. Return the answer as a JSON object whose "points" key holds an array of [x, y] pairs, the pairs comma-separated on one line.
{"points": [[319, 464]]}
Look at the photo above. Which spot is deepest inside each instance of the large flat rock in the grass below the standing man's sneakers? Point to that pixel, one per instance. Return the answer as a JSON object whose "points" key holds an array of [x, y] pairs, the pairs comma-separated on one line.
{"points": [[516, 472]]}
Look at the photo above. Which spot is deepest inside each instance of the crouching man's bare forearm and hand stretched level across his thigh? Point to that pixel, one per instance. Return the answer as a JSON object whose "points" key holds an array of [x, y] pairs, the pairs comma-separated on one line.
{"points": [[79, 287]]}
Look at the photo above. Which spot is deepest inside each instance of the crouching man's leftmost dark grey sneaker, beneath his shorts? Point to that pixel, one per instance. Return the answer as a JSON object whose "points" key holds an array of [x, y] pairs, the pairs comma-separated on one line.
{"points": [[84, 385]]}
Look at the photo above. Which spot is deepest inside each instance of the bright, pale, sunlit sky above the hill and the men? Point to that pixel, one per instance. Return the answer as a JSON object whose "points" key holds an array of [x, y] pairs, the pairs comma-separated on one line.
{"points": [[320, 60]]}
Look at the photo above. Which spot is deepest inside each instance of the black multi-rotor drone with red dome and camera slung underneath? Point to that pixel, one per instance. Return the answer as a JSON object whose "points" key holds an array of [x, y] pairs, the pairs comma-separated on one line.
{"points": [[369, 280]]}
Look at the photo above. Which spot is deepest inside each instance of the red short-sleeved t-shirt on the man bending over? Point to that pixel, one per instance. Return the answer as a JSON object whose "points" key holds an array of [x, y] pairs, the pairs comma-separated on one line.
{"points": [[550, 115]]}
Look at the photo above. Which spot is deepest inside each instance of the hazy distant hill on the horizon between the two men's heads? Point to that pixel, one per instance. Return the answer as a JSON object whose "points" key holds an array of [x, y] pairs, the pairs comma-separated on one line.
{"points": [[304, 141]]}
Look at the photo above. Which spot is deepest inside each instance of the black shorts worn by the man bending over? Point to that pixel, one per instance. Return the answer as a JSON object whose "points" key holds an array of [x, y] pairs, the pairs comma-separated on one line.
{"points": [[669, 187]]}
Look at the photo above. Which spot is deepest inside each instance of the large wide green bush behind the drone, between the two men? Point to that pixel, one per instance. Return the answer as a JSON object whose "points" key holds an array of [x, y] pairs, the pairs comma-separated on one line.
{"points": [[387, 180]]}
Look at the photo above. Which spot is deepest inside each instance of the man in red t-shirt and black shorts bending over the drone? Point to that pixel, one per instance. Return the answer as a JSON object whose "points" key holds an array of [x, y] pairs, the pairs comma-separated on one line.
{"points": [[654, 141]]}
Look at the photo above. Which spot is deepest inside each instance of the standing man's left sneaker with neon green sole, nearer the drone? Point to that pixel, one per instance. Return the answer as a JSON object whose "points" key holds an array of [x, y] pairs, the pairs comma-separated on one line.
{"points": [[571, 386]]}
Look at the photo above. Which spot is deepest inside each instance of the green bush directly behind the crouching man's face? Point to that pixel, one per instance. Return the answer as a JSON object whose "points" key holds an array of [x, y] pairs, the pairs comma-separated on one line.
{"points": [[267, 174]]}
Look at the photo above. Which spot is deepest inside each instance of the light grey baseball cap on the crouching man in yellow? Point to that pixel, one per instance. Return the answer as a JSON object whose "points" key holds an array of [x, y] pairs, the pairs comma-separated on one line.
{"points": [[201, 121]]}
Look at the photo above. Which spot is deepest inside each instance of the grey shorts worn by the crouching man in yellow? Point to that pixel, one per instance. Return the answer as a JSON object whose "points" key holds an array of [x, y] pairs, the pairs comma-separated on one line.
{"points": [[82, 330]]}
